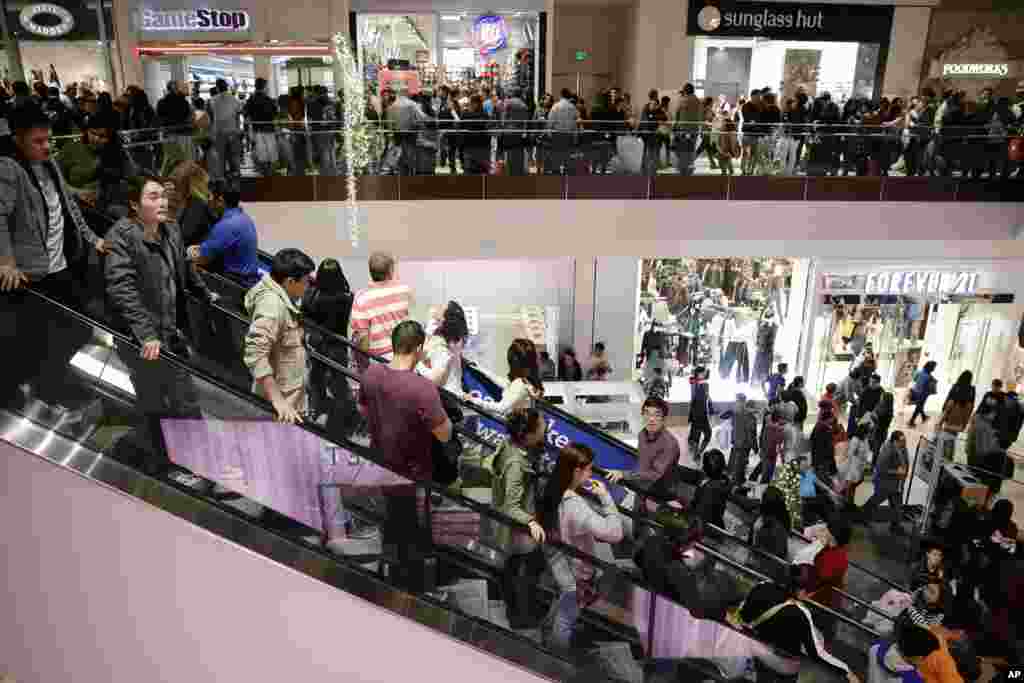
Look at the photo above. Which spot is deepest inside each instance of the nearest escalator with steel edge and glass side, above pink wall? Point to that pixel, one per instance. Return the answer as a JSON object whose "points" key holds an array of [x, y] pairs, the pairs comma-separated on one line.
{"points": [[280, 491]]}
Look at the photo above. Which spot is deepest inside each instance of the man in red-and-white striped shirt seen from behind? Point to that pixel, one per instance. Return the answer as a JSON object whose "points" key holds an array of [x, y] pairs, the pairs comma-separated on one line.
{"points": [[379, 309]]}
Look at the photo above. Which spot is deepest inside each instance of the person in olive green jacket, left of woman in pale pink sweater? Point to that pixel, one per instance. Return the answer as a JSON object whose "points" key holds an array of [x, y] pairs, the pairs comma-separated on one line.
{"points": [[515, 493]]}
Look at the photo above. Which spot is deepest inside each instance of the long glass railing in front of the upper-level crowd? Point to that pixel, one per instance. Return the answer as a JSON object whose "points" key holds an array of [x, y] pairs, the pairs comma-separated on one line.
{"points": [[294, 161]]}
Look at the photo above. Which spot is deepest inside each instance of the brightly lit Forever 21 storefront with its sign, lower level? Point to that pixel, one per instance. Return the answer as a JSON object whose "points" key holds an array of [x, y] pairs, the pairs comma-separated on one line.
{"points": [[960, 329]]}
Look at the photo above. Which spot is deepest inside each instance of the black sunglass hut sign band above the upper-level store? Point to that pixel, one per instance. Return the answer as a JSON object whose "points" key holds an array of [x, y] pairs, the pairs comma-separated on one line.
{"points": [[790, 21]]}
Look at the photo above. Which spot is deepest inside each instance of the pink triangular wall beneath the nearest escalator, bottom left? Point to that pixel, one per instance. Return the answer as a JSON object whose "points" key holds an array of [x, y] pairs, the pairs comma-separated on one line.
{"points": [[102, 587]]}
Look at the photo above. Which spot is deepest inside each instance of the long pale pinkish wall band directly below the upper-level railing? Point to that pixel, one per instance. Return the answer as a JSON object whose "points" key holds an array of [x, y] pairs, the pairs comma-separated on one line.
{"points": [[459, 230]]}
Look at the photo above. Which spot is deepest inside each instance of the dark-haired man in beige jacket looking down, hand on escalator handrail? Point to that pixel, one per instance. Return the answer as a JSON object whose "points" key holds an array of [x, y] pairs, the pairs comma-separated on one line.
{"points": [[275, 347]]}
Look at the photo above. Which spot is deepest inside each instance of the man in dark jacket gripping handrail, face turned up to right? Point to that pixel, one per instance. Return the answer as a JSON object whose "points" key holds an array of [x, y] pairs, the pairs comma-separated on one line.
{"points": [[147, 280]]}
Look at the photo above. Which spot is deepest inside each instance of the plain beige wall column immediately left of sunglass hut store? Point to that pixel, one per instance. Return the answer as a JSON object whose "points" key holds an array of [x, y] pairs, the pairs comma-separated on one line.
{"points": [[662, 53]]}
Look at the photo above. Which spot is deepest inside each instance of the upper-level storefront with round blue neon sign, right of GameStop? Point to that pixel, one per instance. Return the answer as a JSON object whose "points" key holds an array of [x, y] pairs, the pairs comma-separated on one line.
{"points": [[451, 49]]}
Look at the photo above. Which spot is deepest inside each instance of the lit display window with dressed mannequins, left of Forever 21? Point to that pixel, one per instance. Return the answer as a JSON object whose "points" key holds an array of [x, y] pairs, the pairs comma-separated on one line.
{"points": [[739, 318]]}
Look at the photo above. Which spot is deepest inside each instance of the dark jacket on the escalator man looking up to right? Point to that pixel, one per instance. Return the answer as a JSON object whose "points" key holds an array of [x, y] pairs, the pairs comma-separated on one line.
{"points": [[136, 290]]}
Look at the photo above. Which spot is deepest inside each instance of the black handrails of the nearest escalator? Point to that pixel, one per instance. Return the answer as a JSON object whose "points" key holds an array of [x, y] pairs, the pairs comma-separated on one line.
{"points": [[363, 452]]}
